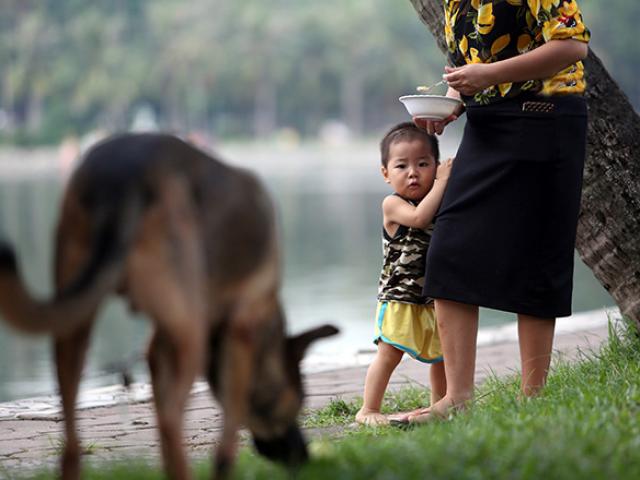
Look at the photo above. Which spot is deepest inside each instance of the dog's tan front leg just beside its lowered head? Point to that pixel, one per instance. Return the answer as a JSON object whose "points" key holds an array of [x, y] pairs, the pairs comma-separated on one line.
{"points": [[236, 379]]}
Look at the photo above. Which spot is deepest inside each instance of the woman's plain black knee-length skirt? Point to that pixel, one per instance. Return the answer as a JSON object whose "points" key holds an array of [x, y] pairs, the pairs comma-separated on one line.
{"points": [[505, 233]]}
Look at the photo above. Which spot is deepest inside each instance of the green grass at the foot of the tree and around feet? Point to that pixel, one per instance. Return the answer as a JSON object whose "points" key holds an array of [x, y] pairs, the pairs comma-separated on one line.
{"points": [[586, 424]]}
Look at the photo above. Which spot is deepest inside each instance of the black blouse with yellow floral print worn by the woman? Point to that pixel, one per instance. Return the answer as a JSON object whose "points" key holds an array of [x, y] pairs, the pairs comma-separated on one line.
{"points": [[486, 31]]}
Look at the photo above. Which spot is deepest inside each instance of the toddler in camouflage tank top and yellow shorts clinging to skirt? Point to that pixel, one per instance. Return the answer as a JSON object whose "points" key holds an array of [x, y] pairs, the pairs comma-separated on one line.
{"points": [[405, 319]]}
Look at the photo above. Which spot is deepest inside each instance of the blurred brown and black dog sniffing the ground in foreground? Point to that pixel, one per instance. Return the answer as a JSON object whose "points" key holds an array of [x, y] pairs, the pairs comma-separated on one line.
{"points": [[191, 242]]}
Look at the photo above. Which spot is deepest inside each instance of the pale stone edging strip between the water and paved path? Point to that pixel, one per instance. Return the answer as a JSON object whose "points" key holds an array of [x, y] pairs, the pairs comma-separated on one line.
{"points": [[47, 407]]}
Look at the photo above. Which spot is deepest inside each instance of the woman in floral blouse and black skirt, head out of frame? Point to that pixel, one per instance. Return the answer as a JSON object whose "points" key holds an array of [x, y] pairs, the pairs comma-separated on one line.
{"points": [[505, 233]]}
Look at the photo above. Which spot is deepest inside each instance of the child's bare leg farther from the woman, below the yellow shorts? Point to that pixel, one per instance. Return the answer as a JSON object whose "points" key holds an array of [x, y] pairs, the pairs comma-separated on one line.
{"points": [[376, 382]]}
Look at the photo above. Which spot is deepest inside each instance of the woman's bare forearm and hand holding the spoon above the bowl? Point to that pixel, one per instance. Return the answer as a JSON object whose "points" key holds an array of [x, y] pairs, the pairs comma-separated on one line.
{"points": [[539, 63]]}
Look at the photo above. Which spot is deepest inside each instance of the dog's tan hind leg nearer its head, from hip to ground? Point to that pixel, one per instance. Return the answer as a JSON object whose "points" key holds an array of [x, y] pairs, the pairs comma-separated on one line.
{"points": [[166, 280]]}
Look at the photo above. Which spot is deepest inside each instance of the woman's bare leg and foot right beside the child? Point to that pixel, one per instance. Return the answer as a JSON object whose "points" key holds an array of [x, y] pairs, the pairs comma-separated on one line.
{"points": [[458, 328]]}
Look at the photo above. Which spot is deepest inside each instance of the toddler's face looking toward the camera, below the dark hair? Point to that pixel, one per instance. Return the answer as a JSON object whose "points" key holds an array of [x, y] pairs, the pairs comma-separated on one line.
{"points": [[411, 168]]}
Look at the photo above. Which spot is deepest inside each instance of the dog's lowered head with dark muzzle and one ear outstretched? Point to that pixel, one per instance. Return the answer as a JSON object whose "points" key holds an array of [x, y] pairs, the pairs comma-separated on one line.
{"points": [[275, 406]]}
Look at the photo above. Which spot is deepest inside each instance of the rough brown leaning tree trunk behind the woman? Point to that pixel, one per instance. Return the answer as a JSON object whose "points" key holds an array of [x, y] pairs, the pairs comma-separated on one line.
{"points": [[609, 224]]}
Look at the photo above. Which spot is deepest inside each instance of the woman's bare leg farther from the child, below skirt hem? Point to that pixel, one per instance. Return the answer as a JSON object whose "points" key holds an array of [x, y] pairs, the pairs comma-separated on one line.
{"points": [[536, 341]]}
